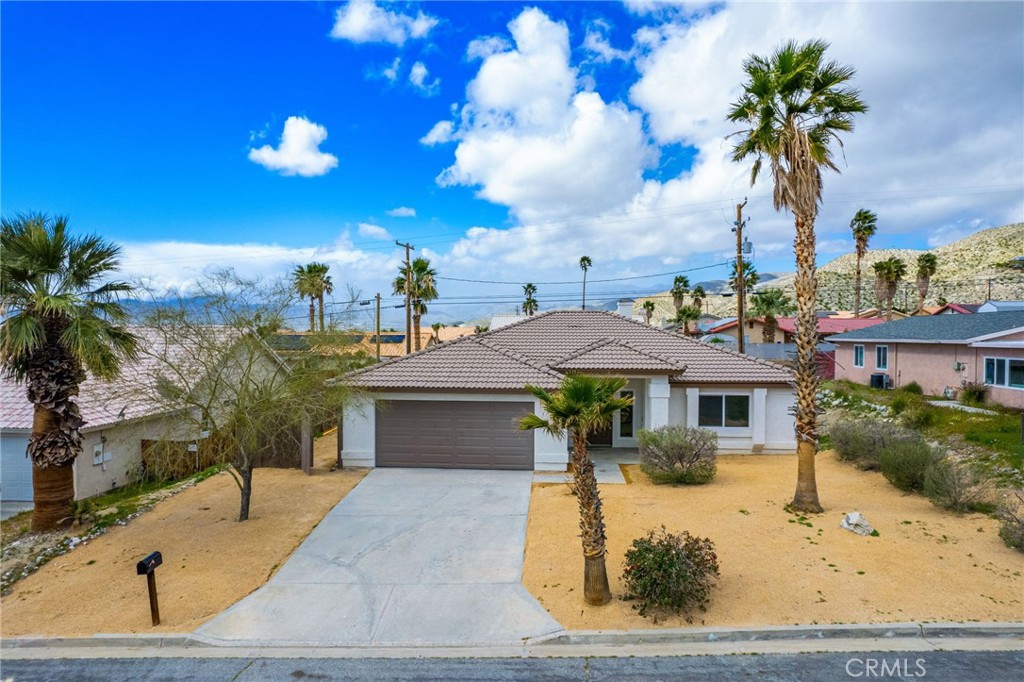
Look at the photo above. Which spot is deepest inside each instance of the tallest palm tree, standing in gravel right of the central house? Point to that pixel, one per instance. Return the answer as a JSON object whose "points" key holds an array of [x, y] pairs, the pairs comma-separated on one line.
{"points": [[796, 106]]}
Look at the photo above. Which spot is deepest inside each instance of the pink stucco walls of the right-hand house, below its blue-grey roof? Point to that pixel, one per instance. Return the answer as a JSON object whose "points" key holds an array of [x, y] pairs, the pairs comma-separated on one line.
{"points": [[934, 367]]}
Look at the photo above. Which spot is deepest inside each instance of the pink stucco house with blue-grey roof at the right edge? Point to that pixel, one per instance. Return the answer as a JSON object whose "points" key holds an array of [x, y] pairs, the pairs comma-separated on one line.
{"points": [[941, 354]]}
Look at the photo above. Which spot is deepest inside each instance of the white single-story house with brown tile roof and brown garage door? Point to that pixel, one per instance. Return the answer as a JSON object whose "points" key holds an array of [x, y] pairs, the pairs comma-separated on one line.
{"points": [[456, 405]]}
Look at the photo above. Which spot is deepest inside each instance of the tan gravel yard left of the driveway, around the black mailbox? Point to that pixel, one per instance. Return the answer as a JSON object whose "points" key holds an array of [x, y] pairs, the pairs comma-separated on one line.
{"points": [[210, 561]]}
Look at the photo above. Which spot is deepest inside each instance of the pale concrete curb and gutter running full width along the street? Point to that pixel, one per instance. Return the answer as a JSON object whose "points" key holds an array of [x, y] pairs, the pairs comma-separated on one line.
{"points": [[581, 637]]}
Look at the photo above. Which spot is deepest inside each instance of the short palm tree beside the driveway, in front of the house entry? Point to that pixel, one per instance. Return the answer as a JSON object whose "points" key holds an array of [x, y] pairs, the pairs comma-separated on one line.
{"points": [[583, 405]]}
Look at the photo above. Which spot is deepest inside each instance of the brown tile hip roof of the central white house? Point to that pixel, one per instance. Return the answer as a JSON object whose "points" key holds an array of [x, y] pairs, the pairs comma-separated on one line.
{"points": [[532, 350]]}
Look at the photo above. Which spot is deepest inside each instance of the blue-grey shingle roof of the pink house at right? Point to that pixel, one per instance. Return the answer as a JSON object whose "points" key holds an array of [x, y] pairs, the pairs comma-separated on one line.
{"points": [[938, 329]]}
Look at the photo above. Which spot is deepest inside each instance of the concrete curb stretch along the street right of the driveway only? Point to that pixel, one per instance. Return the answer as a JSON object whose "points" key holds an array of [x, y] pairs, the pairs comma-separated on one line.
{"points": [[781, 633]]}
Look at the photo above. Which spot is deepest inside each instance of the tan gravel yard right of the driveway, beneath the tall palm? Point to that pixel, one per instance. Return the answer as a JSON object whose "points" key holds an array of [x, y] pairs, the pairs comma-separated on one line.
{"points": [[928, 565]]}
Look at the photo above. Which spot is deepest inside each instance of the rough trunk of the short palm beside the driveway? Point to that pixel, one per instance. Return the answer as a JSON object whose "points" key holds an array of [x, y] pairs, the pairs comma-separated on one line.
{"points": [[595, 575]]}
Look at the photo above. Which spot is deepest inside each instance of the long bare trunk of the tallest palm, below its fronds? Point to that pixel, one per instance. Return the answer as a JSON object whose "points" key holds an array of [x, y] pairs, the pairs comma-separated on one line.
{"points": [[806, 418]]}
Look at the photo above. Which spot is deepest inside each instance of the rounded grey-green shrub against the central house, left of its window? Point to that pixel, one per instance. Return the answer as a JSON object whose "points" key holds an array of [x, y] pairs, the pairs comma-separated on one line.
{"points": [[678, 454]]}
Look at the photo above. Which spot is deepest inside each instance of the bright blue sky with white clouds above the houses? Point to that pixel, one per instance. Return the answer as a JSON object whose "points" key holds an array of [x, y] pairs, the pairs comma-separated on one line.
{"points": [[522, 136]]}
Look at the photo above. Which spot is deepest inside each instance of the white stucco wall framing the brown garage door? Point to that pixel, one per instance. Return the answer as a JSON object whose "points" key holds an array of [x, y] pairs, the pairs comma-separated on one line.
{"points": [[359, 430]]}
